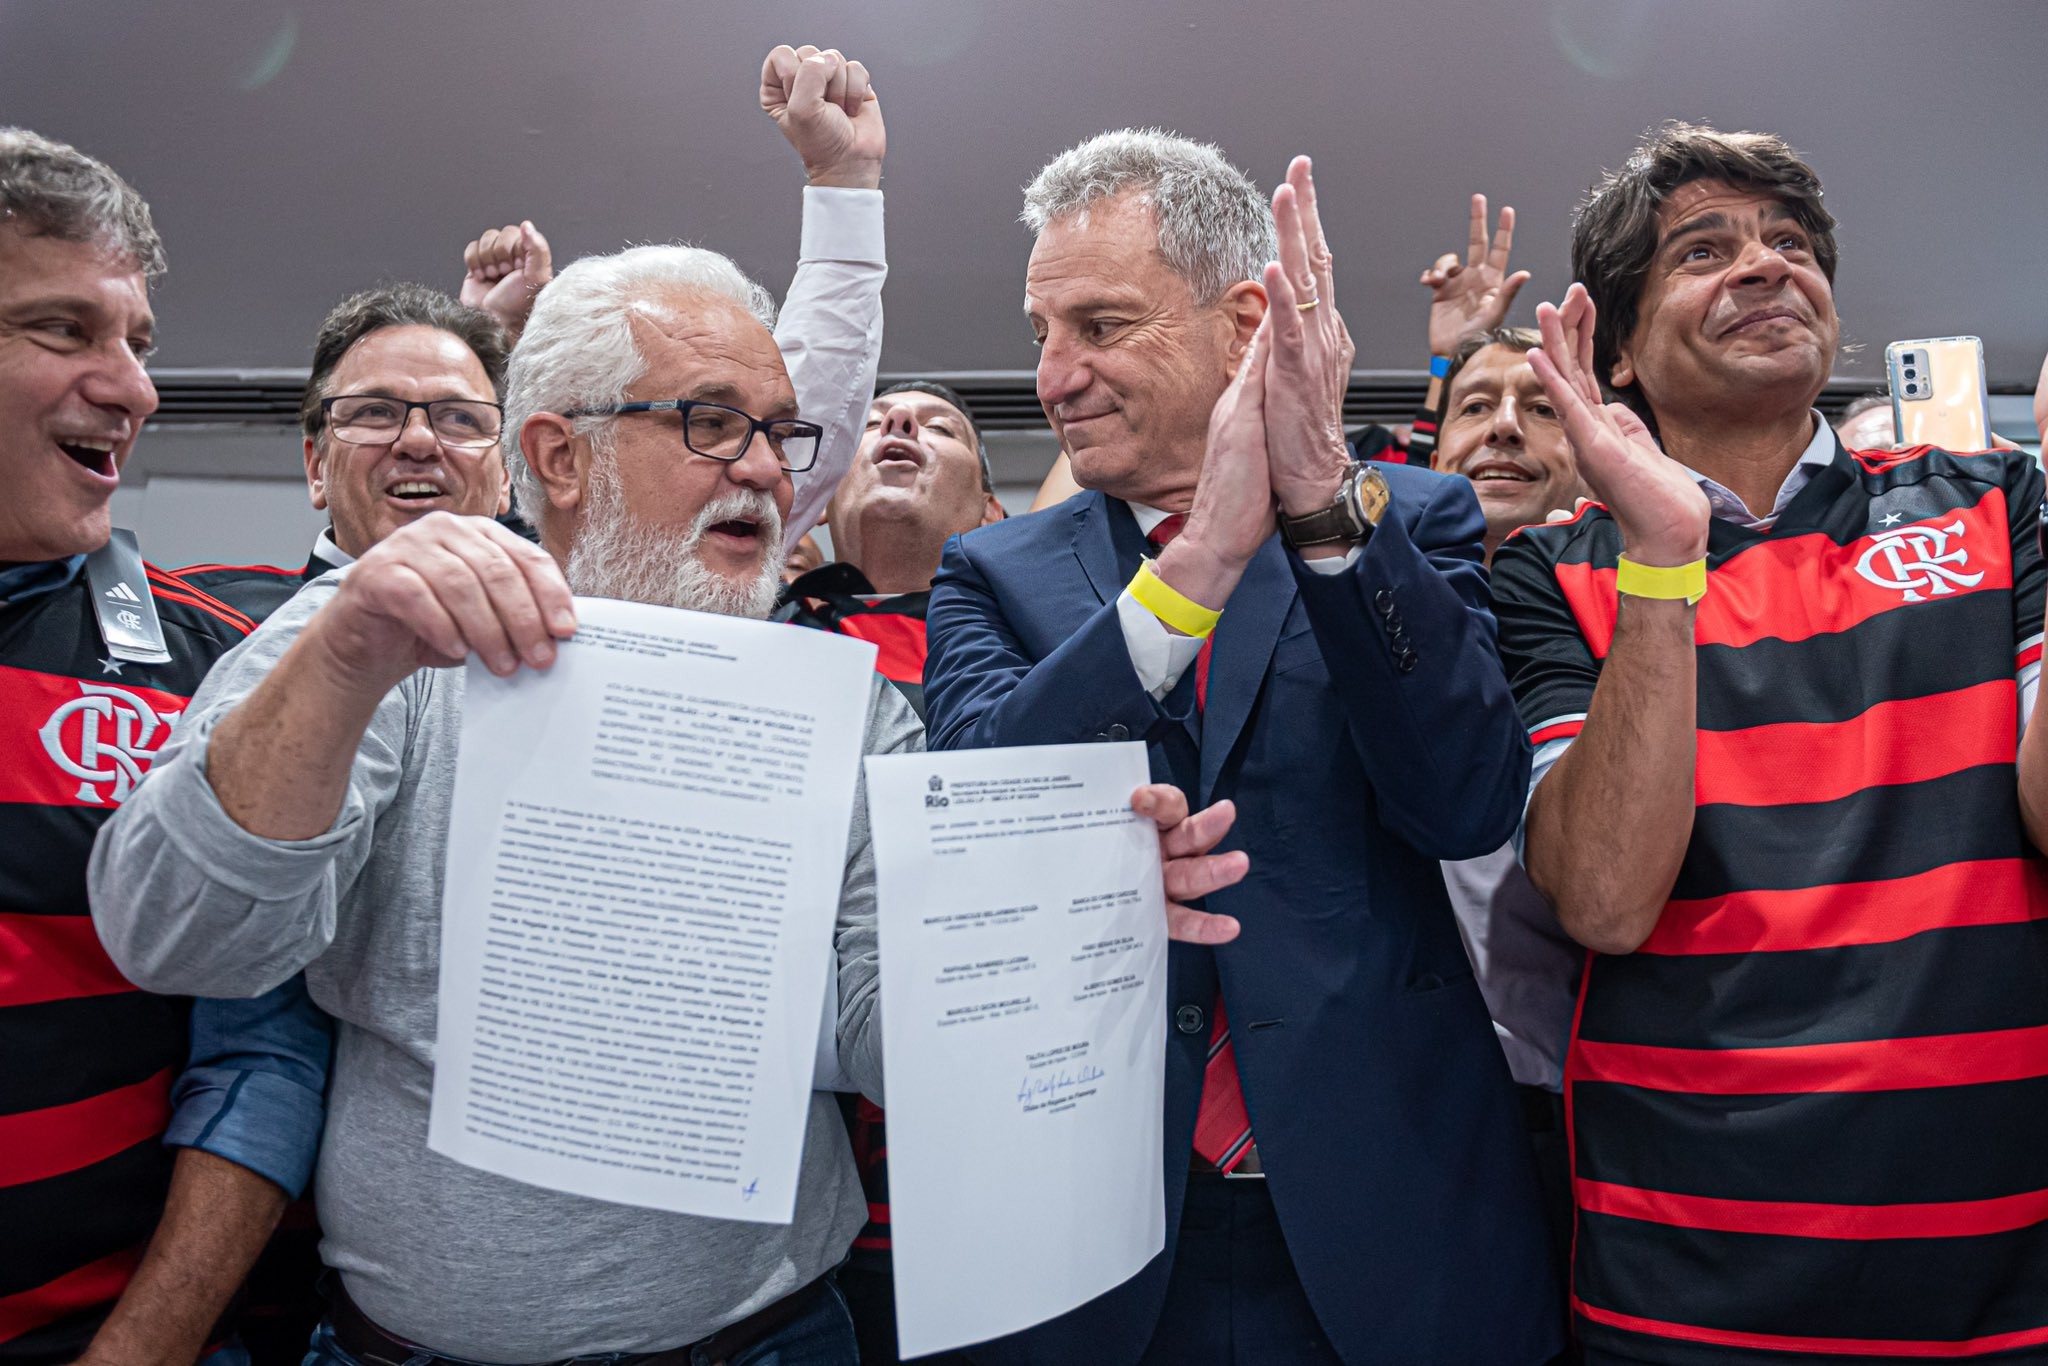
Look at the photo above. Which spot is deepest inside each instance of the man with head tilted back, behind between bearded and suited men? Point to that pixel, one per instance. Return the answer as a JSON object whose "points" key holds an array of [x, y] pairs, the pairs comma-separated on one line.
{"points": [[921, 476]]}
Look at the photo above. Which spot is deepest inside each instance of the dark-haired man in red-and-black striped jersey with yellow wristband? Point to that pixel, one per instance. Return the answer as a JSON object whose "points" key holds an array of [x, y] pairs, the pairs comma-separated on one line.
{"points": [[1789, 796]]}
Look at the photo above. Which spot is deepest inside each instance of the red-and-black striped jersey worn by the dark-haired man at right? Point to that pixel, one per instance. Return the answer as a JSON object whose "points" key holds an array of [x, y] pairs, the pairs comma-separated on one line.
{"points": [[1807, 1113]]}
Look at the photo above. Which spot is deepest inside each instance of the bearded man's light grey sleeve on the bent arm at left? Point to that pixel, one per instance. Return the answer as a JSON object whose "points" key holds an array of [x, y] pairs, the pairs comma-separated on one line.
{"points": [[185, 900]]}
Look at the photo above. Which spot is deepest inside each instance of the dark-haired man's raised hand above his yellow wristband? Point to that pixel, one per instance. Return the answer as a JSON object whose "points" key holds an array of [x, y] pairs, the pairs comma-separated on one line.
{"points": [[1660, 507]]}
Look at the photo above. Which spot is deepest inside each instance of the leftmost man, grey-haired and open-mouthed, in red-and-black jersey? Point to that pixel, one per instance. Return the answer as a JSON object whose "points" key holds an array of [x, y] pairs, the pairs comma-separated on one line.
{"points": [[146, 1142]]}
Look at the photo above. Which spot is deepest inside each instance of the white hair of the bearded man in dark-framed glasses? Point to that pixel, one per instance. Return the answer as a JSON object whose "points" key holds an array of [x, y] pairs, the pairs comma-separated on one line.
{"points": [[579, 347]]}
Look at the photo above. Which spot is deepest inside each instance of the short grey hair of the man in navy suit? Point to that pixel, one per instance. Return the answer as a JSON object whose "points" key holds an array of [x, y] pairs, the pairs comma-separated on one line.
{"points": [[1215, 226]]}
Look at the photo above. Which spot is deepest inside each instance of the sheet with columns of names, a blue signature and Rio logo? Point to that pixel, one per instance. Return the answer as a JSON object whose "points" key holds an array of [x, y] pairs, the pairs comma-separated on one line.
{"points": [[1023, 943]]}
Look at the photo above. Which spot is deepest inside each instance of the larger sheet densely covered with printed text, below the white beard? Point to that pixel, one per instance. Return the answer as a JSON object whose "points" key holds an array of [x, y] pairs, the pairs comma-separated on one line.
{"points": [[644, 876]]}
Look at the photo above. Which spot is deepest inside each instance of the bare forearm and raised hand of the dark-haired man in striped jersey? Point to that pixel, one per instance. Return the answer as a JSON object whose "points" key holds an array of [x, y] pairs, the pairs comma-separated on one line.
{"points": [[1609, 826]]}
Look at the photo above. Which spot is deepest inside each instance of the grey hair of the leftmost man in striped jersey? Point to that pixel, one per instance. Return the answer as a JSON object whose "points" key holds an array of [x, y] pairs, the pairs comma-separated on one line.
{"points": [[50, 189]]}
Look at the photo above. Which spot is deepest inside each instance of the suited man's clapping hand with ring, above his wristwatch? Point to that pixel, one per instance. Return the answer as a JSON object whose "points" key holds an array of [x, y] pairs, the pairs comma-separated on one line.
{"points": [[1310, 361]]}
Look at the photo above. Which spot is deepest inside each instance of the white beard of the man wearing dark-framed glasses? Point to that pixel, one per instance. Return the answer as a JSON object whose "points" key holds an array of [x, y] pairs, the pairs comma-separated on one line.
{"points": [[615, 556]]}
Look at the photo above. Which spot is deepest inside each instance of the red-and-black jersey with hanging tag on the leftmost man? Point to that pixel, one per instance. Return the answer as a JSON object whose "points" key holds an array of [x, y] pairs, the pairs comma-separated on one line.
{"points": [[87, 1062]]}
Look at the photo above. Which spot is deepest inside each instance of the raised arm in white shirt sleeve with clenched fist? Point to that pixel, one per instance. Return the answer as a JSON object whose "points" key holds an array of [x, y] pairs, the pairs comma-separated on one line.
{"points": [[830, 327]]}
